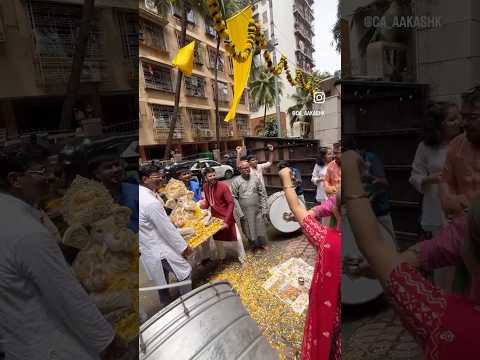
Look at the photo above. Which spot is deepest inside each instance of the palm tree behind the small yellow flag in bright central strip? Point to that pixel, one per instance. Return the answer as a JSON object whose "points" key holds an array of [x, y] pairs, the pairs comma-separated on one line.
{"points": [[185, 6]]}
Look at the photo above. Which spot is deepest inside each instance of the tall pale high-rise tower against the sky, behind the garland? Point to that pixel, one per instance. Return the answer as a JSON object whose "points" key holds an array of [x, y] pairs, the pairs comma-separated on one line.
{"points": [[293, 29]]}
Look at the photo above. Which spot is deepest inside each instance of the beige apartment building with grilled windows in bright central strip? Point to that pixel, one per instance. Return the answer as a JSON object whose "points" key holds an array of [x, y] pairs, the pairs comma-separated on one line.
{"points": [[195, 130]]}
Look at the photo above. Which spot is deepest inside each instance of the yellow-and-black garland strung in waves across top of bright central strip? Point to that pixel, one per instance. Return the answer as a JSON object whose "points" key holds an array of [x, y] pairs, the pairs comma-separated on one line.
{"points": [[257, 39]]}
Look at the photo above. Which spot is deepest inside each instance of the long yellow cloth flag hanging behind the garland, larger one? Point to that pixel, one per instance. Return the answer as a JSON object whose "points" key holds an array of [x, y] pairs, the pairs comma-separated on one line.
{"points": [[238, 29]]}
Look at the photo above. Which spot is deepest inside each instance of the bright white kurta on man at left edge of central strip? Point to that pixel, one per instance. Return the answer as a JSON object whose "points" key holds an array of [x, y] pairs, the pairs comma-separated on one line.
{"points": [[159, 239]]}
